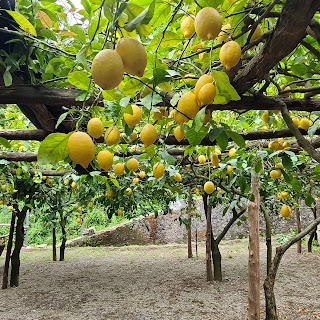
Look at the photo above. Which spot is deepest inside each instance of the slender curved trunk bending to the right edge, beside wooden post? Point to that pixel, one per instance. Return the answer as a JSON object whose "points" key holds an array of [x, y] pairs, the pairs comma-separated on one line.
{"points": [[271, 308]]}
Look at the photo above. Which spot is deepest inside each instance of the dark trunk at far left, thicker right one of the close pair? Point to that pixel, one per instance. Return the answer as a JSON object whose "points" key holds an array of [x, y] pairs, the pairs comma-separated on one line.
{"points": [[15, 258]]}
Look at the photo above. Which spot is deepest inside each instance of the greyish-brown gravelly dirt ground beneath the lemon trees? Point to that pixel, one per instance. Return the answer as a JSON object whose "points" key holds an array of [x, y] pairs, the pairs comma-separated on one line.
{"points": [[153, 282]]}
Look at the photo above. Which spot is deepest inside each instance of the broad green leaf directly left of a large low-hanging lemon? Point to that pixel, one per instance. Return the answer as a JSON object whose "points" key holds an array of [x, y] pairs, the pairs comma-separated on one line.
{"points": [[53, 148]]}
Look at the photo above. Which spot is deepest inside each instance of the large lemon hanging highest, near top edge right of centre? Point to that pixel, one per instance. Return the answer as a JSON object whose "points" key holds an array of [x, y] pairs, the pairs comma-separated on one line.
{"points": [[208, 23]]}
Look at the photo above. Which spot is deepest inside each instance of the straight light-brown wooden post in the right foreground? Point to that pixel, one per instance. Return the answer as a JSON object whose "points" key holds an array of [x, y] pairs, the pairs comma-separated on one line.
{"points": [[254, 262]]}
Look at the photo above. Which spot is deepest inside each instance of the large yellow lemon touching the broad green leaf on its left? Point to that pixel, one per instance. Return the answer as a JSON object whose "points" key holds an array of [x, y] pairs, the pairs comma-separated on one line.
{"points": [[80, 148]]}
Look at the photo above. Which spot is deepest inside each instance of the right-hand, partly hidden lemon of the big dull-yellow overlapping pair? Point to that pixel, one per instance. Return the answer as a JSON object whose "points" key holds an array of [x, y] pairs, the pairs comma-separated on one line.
{"points": [[133, 55]]}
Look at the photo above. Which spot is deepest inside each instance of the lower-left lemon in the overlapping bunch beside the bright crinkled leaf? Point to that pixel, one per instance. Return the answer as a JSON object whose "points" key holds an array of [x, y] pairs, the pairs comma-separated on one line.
{"points": [[188, 107]]}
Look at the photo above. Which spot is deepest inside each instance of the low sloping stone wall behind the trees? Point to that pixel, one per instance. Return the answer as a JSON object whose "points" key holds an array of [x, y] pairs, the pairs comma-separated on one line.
{"points": [[167, 228]]}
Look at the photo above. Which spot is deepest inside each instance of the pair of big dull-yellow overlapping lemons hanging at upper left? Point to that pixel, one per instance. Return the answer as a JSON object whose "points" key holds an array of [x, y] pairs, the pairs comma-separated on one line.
{"points": [[108, 66]]}
